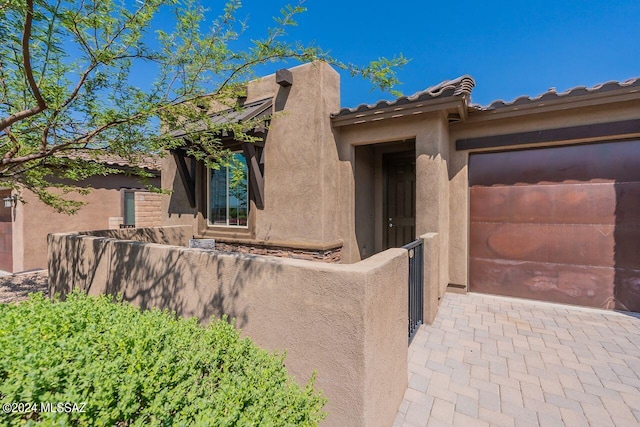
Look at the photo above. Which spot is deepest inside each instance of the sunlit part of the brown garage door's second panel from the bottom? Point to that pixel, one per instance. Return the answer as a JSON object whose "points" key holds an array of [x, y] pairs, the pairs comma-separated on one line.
{"points": [[557, 243]]}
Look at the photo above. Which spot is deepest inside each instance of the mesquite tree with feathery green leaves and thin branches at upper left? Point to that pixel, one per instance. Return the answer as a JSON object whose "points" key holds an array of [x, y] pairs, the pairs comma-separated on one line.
{"points": [[67, 95]]}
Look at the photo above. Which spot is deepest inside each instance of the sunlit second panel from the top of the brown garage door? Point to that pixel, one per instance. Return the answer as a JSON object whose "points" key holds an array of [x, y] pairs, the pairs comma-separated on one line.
{"points": [[562, 203]]}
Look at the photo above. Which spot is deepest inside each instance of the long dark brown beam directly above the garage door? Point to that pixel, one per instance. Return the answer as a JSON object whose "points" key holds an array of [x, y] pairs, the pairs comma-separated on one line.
{"points": [[612, 129]]}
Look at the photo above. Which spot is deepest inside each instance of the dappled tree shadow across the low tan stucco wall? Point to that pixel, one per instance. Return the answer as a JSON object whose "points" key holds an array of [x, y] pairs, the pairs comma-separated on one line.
{"points": [[191, 282]]}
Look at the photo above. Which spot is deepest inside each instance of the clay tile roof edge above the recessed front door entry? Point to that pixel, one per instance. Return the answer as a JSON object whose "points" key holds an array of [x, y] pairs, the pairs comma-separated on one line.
{"points": [[460, 87]]}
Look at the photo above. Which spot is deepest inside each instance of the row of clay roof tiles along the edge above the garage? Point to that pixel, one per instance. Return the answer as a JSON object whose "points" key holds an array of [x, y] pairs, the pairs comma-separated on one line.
{"points": [[552, 95]]}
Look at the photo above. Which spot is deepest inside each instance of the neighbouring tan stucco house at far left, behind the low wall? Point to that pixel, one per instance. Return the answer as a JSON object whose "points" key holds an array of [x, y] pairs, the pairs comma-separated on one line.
{"points": [[115, 200]]}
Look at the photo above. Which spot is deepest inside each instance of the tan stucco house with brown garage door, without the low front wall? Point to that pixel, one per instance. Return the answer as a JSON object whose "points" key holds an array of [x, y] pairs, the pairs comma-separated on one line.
{"points": [[537, 197]]}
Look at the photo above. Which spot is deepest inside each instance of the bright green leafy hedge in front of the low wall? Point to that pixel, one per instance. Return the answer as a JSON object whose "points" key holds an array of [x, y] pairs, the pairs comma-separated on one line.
{"points": [[140, 368]]}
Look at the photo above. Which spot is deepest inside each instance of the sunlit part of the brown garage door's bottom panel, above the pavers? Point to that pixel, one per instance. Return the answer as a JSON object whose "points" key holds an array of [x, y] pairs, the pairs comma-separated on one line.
{"points": [[568, 284]]}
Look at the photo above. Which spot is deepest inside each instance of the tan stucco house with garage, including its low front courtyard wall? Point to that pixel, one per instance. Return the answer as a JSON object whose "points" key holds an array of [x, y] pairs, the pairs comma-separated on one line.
{"points": [[538, 197]]}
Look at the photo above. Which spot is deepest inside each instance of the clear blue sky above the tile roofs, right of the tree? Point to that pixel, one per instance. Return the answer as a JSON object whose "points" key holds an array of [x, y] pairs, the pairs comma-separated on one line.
{"points": [[510, 48]]}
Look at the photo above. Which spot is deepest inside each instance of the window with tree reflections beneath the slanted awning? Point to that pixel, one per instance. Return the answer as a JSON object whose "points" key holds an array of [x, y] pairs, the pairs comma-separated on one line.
{"points": [[228, 195]]}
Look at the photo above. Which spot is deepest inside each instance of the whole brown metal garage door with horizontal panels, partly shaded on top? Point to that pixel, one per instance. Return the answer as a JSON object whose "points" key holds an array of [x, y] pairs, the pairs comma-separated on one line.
{"points": [[558, 224]]}
